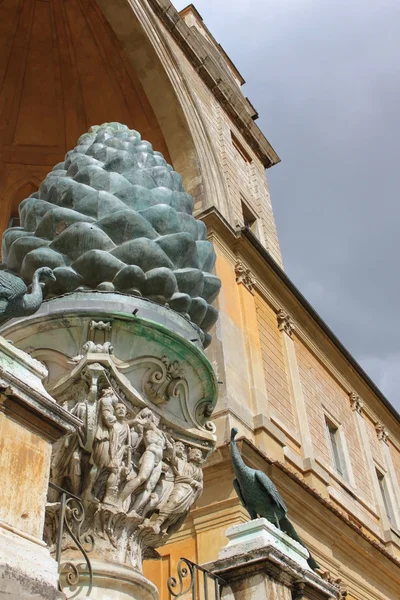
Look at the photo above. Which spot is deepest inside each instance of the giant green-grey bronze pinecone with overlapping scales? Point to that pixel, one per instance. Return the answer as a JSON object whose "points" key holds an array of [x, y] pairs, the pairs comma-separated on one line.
{"points": [[113, 198]]}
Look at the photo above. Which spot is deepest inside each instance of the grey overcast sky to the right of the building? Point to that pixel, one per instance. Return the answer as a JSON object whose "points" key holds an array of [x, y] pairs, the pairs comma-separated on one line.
{"points": [[324, 76]]}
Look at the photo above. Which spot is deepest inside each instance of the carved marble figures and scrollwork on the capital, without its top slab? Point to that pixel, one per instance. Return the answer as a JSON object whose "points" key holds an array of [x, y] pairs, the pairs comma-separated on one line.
{"points": [[136, 474]]}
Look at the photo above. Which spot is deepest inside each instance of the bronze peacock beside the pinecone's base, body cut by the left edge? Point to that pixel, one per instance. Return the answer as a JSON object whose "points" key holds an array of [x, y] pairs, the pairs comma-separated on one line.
{"points": [[15, 301]]}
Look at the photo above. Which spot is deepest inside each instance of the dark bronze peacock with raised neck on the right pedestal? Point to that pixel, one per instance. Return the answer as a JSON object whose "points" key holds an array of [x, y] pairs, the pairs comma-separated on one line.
{"points": [[260, 497]]}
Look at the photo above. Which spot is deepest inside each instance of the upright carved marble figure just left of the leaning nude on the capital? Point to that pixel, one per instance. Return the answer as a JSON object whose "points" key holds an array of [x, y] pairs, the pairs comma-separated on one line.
{"points": [[103, 443]]}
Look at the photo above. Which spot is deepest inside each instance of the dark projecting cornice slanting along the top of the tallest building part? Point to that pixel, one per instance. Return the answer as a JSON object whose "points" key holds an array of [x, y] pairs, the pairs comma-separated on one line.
{"points": [[232, 100]]}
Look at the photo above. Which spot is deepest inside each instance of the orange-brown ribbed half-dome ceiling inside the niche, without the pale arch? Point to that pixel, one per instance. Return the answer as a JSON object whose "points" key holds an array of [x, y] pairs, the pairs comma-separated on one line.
{"points": [[62, 69]]}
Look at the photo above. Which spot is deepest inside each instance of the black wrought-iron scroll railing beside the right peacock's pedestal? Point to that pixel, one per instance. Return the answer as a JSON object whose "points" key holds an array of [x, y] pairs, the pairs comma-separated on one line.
{"points": [[195, 582]]}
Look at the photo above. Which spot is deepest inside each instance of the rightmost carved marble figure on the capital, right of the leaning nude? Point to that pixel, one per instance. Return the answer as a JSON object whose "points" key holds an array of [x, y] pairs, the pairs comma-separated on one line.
{"points": [[187, 488]]}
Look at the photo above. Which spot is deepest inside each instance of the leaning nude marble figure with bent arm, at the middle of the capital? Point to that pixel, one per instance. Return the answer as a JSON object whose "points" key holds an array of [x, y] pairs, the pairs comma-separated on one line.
{"points": [[150, 463]]}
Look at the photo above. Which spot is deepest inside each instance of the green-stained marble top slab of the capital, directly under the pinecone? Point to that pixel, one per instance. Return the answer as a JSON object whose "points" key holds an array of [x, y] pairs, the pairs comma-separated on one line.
{"points": [[57, 334]]}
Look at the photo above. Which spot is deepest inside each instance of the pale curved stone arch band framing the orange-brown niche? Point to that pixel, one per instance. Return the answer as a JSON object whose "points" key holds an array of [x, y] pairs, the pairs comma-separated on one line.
{"points": [[144, 42]]}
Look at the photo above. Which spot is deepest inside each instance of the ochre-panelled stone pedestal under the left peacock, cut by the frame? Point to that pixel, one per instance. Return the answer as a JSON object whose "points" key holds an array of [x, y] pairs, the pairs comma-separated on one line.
{"points": [[30, 421]]}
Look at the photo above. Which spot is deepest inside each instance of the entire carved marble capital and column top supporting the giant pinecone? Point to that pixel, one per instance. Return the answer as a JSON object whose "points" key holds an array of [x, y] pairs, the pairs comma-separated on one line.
{"points": [[135, 375]]}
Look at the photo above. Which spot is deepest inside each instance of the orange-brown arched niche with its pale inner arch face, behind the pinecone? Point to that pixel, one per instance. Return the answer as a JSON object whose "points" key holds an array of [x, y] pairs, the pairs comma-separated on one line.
{"points": [[67, 65]]}
